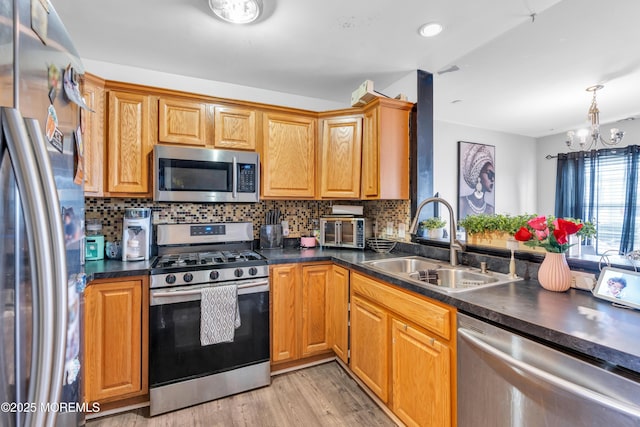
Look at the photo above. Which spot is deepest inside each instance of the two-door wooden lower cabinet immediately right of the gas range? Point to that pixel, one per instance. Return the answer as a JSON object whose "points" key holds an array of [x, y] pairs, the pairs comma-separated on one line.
{"points": [[299, 327]]}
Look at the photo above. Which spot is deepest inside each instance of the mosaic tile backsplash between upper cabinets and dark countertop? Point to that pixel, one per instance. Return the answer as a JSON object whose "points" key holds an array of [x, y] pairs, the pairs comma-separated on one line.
{"points": [[299, 213]]}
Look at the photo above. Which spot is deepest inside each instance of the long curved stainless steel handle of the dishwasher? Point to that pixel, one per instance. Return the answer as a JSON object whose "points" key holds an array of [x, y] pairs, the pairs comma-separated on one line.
{"points": [[547, 377]]}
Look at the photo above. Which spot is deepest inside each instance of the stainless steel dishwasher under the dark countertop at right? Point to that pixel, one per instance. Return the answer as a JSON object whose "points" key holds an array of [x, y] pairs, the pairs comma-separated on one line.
{"points": [[507, 380]]}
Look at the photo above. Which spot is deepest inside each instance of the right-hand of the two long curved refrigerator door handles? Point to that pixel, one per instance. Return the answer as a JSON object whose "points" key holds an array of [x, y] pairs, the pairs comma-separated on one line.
{"points": [[58, 256]]}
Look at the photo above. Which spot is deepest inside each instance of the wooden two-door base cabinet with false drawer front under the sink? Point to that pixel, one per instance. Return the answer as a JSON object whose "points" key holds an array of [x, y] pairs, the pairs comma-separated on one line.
{"points": [[403, 349]]}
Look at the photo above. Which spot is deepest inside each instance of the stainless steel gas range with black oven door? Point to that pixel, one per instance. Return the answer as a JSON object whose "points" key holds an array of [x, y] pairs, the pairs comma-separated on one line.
{"points": [[191, 259]]}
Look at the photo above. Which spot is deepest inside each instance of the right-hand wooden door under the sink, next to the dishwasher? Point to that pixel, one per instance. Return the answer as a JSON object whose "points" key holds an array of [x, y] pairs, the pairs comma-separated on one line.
{"points": [[421, 377]]}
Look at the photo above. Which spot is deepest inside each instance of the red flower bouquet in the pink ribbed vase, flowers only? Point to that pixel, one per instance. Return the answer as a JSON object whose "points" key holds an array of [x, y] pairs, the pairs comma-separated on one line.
{"points": [[548, 233]]}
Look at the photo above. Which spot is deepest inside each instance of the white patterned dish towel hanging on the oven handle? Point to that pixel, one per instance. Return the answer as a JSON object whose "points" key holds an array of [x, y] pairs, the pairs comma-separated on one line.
{"points": [[219, 314]]}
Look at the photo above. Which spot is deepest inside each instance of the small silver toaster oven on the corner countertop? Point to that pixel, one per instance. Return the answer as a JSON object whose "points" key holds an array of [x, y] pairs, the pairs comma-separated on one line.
{"points": [[345, 232]]}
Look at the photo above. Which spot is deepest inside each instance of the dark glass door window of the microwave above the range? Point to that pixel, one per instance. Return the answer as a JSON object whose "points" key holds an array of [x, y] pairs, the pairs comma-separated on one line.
{"points": [[195, 175]]}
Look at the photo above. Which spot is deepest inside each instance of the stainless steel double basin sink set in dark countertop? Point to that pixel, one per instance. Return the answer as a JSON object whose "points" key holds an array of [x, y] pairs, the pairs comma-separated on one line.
{"points": [[437, 275]]}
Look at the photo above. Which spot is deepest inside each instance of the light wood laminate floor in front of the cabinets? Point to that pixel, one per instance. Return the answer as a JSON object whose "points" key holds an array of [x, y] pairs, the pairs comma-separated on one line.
{"points": [[322, 395]]}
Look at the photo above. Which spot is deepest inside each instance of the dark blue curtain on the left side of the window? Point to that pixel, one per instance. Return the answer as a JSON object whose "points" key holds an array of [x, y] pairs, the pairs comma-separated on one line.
{"points": [[570, 185]]}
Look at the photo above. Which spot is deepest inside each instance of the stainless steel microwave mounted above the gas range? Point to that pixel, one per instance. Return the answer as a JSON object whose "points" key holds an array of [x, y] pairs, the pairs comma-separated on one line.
{"points": [[191, 174]]}
